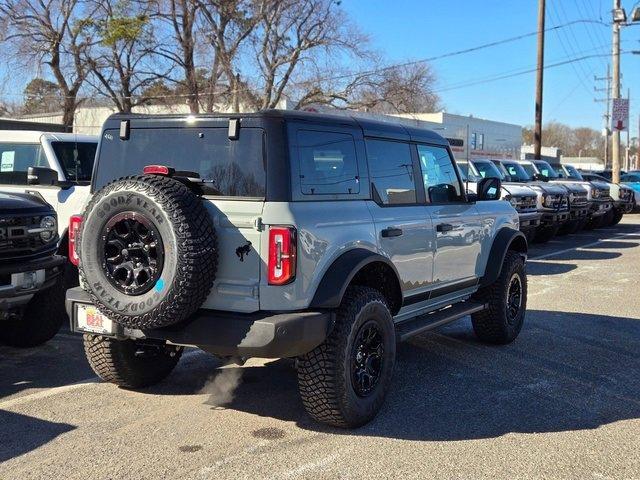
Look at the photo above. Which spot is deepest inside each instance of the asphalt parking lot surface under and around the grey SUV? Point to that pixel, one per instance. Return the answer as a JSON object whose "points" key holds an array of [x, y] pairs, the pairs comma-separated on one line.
{"points": [[563, 401]]}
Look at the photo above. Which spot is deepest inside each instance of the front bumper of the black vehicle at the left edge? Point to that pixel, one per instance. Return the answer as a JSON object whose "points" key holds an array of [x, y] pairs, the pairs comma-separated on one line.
{"points": [[21, 281]]}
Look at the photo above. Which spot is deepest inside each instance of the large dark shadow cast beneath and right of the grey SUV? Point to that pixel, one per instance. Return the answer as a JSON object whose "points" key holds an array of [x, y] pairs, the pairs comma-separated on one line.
{"points": [[563, 373]]}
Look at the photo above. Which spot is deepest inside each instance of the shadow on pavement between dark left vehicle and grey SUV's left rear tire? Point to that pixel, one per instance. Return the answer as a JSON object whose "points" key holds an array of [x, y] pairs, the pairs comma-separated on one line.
{"points": [[61, 361]]}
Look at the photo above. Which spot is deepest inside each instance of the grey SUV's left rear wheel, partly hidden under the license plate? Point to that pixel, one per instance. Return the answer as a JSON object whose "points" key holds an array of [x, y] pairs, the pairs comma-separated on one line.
{"points": [[130, 363]]}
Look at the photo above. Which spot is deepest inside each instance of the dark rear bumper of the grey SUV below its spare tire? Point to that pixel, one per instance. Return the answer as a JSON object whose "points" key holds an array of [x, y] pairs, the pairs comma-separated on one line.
{"points": [[261, 334]]}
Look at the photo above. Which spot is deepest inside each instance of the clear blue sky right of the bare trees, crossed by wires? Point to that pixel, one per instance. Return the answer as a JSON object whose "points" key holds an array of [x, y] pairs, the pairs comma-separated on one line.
{"points": [[412, 29]]}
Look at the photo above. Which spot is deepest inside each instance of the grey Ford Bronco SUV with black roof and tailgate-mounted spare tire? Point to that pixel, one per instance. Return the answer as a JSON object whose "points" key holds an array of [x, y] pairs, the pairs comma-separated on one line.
{"points": [[287, 234]]}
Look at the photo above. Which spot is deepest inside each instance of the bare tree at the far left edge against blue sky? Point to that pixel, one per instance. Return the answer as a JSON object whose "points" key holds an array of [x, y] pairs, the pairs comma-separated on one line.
{"points": [[45, 32]]}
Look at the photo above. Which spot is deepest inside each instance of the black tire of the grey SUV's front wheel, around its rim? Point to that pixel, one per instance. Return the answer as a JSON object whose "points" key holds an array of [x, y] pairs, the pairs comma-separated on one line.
{"points": [[489, 324]]}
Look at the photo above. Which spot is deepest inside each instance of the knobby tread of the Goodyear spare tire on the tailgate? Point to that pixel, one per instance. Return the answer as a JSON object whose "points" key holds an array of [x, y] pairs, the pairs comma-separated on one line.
{"points": [[197, 251]]}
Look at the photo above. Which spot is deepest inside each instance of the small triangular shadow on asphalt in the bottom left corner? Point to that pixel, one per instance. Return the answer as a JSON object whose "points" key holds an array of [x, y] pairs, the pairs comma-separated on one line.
{"points": [[35, 433]]}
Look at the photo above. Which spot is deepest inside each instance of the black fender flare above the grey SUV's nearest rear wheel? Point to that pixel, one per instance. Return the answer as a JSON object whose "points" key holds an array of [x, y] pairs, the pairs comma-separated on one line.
{"points": [[341, 272]]}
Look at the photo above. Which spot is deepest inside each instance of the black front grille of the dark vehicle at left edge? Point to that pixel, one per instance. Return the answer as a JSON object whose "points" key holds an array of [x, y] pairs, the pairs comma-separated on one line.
{"points": [[17, 243]]}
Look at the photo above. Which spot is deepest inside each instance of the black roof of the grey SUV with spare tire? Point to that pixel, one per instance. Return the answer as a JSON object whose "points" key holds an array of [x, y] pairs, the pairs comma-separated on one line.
{"points": [[370, 127]]}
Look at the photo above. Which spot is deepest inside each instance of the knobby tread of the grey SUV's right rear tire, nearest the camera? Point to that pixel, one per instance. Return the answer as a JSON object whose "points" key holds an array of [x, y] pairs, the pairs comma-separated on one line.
{"points": [[317, 370]]}
